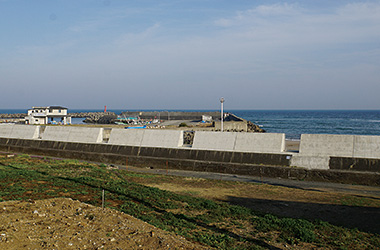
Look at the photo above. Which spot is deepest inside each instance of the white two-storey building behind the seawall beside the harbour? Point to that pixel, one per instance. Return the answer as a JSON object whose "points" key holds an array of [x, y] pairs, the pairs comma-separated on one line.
{"points": [[48, 115]]}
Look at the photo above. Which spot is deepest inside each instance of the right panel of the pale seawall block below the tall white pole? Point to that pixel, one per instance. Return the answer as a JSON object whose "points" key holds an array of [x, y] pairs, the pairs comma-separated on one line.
{"points": [[260, 142]]}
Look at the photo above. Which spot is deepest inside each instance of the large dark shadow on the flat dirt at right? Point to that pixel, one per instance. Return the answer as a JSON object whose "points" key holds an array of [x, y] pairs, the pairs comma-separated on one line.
{"points": [[364, 218]]}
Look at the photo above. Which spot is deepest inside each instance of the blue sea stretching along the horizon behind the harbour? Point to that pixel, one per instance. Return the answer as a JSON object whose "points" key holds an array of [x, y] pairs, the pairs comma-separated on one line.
{"points": [[291, 122]]}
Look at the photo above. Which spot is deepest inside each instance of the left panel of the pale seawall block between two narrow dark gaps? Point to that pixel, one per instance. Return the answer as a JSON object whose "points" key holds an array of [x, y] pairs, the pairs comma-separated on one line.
{"points": [[128, 137]]}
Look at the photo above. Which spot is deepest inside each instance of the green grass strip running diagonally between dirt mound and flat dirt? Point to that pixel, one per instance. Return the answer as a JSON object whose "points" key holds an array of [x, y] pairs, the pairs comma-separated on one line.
{"points": [[212, 223]]}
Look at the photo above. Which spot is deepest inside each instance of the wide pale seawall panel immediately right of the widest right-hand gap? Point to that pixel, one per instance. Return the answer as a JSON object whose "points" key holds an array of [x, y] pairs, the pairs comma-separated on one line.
{"points": [[327, 145]]}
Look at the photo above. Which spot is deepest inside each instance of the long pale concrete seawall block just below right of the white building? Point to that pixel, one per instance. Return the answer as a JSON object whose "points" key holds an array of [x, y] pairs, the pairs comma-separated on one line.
{"points": [[73, 134]]}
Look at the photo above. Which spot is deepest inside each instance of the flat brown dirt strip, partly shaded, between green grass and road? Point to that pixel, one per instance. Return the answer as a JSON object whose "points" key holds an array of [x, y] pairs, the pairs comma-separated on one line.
{"points": [[351, 206]]}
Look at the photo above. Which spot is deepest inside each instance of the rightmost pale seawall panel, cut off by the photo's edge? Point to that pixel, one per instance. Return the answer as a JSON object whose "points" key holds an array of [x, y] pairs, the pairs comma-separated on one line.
{"points": [[367, 146]]}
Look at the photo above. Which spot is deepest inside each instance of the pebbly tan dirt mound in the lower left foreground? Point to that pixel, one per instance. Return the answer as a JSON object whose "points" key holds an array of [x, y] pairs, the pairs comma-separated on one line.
{"points": [[63, 223]]}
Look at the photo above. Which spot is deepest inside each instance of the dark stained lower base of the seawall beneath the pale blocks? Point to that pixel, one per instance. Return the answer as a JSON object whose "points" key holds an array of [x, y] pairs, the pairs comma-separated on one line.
{"points": [[254, 164]]}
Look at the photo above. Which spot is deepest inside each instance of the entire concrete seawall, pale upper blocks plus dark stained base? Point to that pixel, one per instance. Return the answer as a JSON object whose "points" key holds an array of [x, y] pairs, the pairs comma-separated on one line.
{"points": [[346, 159]]}
